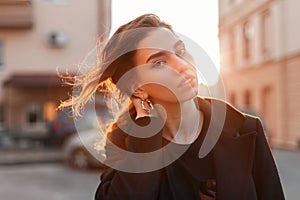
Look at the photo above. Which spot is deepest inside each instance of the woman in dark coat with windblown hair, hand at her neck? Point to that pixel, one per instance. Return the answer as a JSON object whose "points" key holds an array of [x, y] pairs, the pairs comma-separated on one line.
{"points": [[153, 146]]}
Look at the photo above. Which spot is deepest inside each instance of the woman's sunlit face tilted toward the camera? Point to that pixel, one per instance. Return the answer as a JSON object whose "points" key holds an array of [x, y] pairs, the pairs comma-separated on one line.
{"points": [[165, 70]]}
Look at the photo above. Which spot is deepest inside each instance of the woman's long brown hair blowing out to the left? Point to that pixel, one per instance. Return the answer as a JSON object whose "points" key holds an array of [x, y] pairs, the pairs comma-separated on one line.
{"points": [[112, 64]]}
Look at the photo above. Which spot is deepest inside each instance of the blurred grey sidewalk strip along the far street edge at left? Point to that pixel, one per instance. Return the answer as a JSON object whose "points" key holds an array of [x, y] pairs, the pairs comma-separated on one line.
{"points": [[27, 156]]}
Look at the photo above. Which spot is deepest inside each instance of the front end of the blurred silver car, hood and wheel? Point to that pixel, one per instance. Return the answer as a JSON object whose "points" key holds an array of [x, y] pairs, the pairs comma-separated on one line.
{"points": [[77, 150]]}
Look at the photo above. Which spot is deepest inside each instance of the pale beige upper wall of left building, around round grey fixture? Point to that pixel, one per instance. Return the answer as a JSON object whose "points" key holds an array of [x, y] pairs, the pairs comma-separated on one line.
{"points": [[28, 51]]}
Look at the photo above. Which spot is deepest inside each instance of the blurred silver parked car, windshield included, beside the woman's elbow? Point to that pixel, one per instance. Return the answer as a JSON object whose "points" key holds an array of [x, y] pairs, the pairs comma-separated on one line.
{"points": [[79, 148]]}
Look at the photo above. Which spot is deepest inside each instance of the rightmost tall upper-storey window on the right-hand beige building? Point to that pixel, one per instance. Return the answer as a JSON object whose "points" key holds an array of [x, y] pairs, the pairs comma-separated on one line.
{"points": [[266, 34]]}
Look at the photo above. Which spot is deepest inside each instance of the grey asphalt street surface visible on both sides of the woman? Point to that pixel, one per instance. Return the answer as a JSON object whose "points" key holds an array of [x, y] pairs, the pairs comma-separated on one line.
{"points": [[55, 181]]}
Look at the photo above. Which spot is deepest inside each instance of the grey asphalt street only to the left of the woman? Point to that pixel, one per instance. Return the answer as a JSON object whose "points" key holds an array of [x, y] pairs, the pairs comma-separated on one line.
{"points": [[47, 182]]}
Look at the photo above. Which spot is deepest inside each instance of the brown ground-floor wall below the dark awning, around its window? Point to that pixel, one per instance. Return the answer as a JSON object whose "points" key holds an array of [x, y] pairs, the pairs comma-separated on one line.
{"points": [[20, 98]]}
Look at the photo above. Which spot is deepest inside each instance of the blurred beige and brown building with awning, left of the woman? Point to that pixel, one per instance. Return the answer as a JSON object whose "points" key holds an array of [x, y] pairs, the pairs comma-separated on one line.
{"points": [[36, 38]]}
